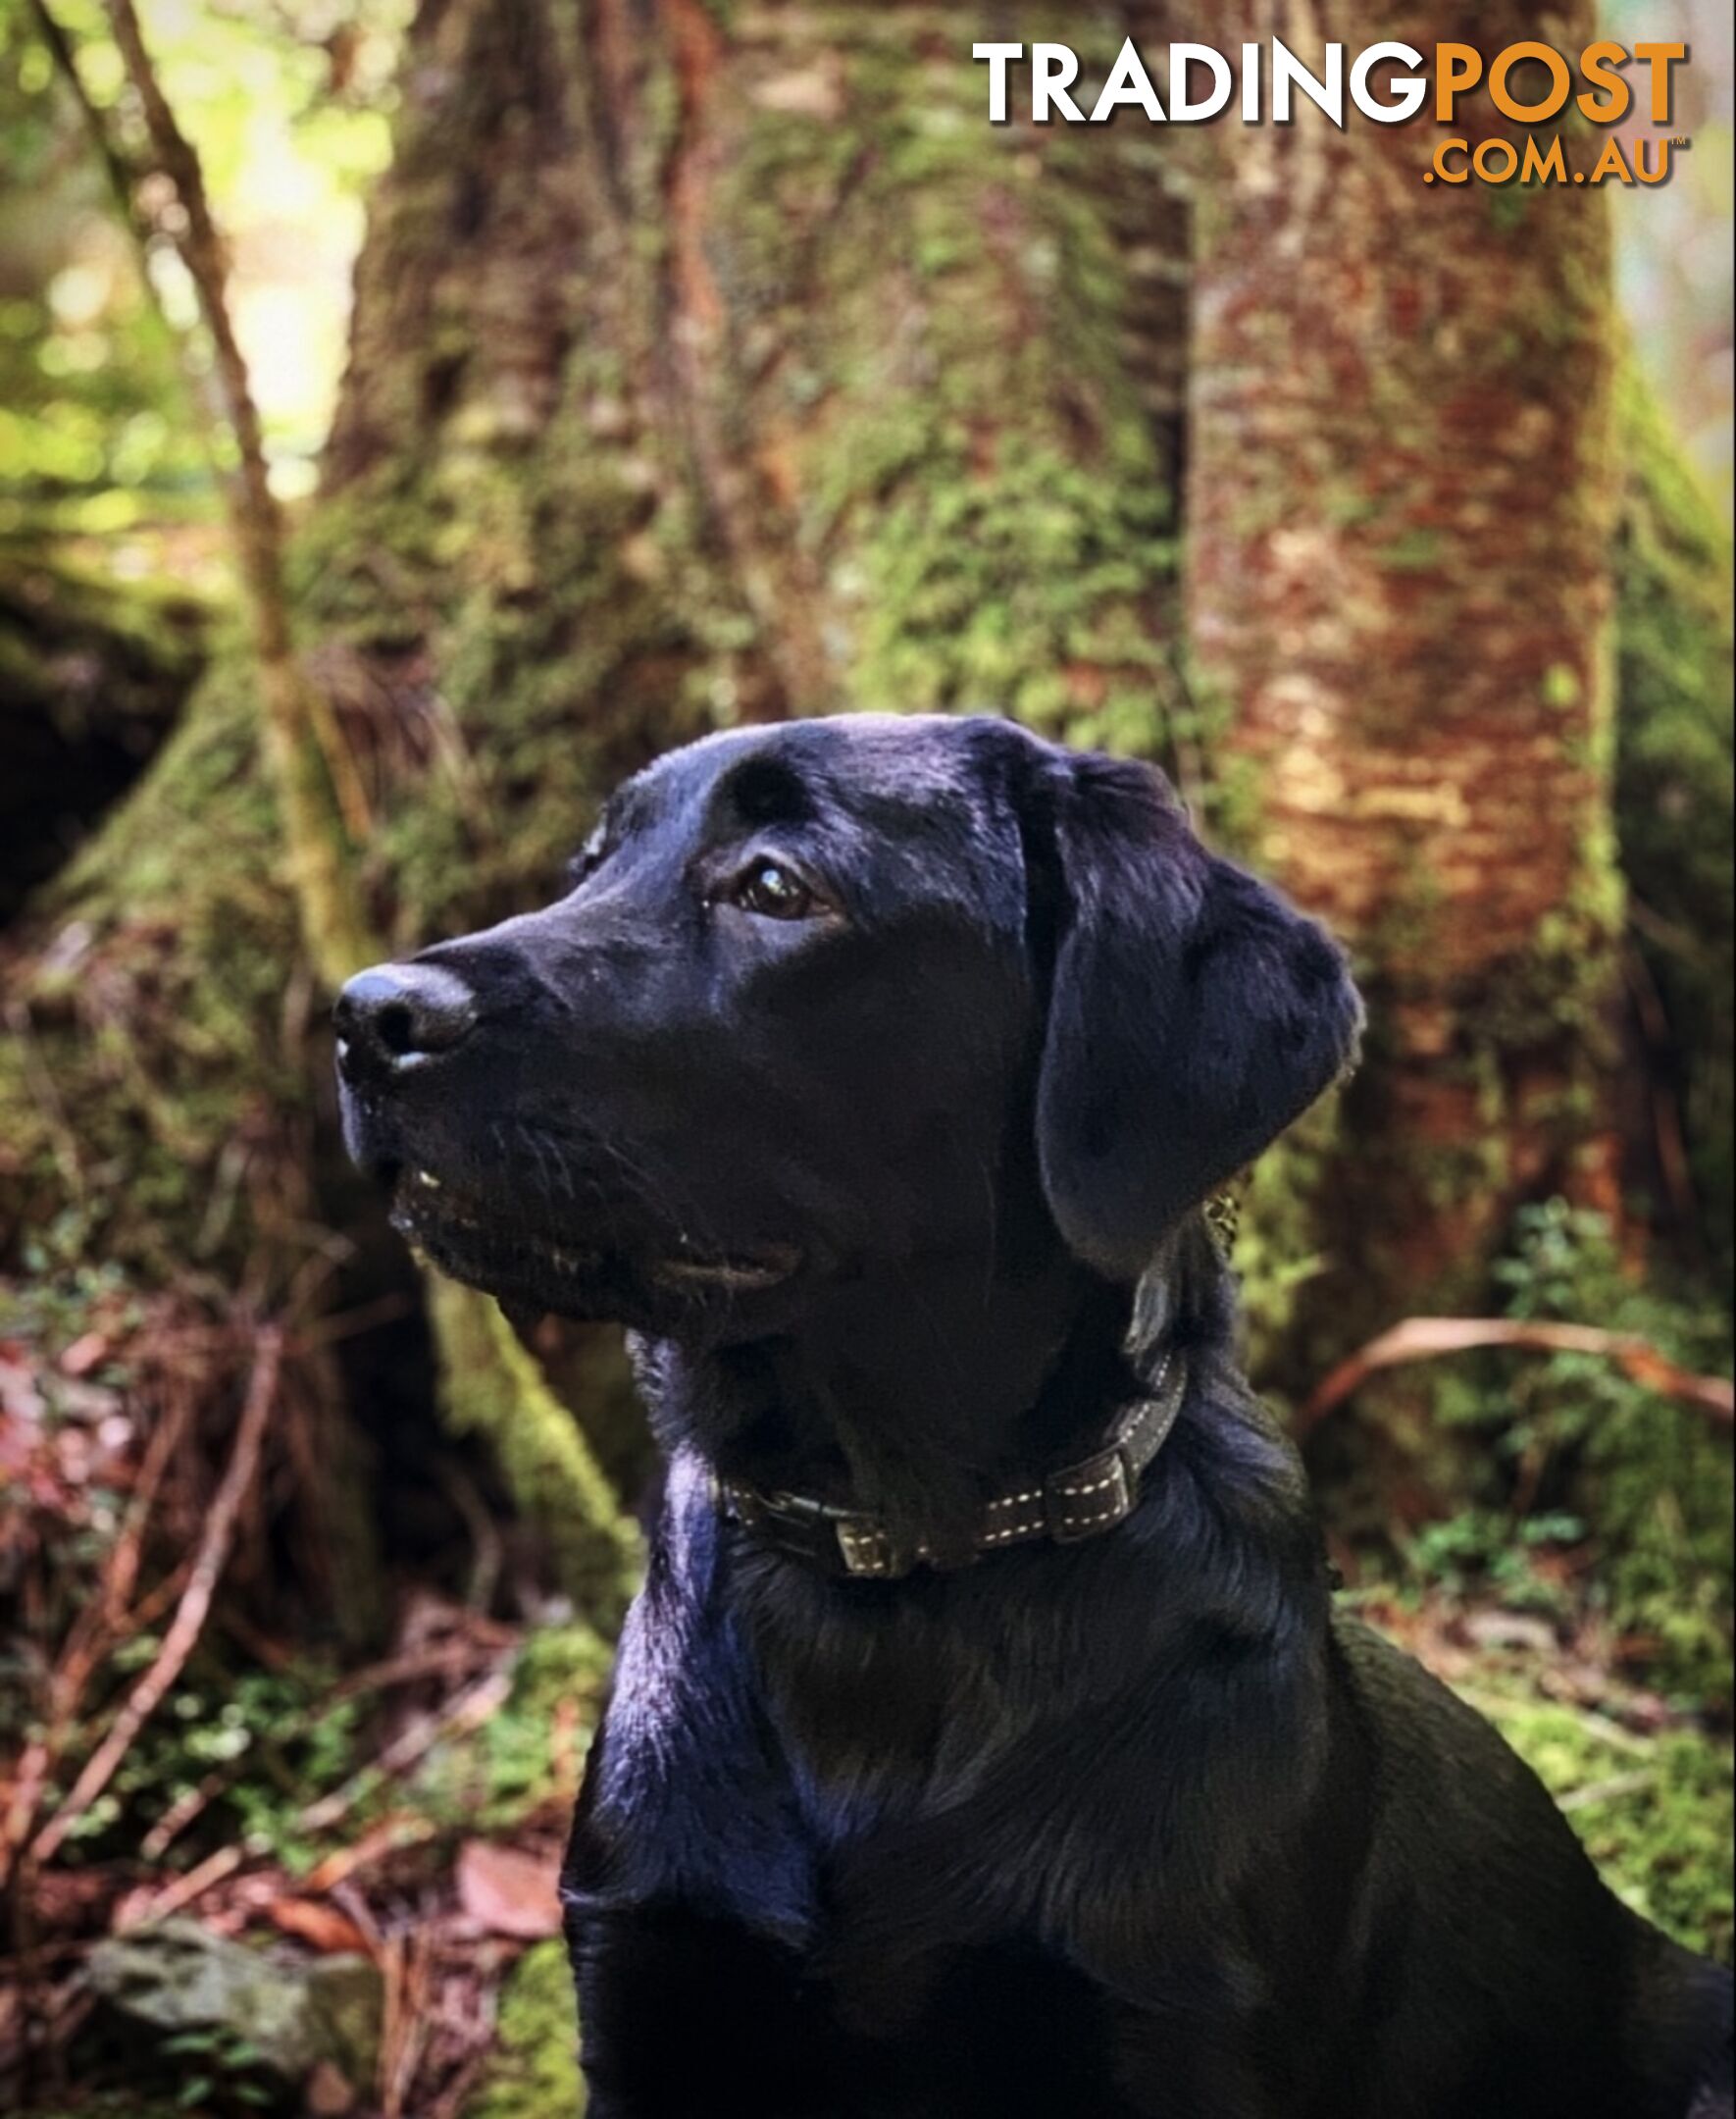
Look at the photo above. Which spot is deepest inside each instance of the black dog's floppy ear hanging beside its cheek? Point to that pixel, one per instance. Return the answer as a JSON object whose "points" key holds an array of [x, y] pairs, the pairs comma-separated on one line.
{"points": [[1192, 1016]]}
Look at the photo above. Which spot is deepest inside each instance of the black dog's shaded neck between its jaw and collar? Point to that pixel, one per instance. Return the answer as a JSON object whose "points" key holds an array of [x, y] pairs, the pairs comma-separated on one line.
{"points": [[923, 1389]]}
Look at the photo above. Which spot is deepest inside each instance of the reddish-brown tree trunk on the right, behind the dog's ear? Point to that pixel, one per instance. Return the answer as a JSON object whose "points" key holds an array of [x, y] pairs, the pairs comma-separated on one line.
{"points": [[1400, 529]]}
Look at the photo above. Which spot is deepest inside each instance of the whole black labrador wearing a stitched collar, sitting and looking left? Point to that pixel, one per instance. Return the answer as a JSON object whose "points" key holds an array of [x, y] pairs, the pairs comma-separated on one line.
{"points": [[985, 1741]]}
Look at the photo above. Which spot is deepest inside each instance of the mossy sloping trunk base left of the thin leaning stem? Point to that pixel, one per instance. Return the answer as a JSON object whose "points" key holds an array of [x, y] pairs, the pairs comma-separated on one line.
{"points": [[156, 1008]]}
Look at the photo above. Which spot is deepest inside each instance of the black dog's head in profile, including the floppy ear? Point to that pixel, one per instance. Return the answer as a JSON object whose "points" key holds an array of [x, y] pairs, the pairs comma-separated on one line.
{"points": [[817, 999]]}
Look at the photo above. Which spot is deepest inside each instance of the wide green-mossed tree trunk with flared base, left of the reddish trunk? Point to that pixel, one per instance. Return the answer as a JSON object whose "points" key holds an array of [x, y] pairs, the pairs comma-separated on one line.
{"points": [[705, 370]]}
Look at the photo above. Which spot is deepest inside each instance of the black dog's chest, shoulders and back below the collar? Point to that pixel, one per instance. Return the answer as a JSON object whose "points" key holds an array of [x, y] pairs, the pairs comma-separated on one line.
{"points": [[1004, 1847]]}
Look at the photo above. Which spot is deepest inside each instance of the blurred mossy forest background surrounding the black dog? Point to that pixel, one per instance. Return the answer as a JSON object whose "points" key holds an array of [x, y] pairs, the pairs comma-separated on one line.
{"points": [[718, 361]]}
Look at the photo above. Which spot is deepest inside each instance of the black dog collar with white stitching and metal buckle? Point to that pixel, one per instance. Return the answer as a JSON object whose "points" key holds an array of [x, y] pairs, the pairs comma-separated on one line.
{"points": [[1078, 1501]]}
